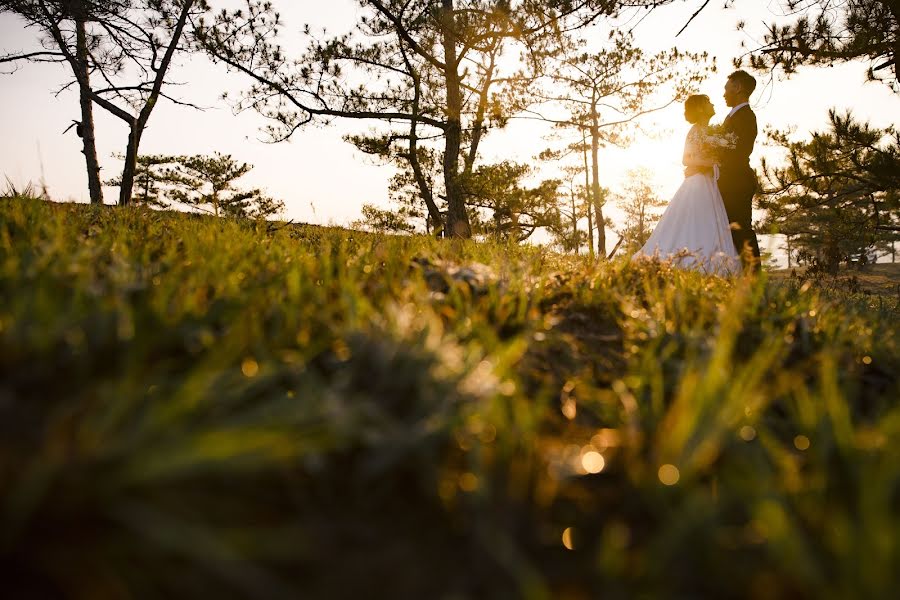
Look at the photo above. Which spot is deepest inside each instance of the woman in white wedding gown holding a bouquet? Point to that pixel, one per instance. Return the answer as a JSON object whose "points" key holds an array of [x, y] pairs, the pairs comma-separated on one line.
{"points": [[694, 231]]}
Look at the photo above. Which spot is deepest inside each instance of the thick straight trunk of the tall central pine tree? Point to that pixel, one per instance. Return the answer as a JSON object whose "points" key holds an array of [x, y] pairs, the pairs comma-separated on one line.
{"points": [[457, 218]]}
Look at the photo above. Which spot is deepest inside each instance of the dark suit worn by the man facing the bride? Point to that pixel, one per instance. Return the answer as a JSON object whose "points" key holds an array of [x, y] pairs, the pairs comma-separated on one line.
{"points": [[737, 181]]}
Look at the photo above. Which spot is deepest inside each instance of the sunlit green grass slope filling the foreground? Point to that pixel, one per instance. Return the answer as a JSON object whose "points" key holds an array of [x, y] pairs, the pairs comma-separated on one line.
{"points": [[192, 407]]}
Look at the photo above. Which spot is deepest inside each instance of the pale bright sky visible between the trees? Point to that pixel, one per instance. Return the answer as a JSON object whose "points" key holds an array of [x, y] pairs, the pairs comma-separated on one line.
{"points": [[323, 179]]}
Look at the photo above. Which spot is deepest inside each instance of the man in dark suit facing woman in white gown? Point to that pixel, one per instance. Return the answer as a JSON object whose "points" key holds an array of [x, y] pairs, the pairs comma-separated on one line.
{"points": [[737, 181]]}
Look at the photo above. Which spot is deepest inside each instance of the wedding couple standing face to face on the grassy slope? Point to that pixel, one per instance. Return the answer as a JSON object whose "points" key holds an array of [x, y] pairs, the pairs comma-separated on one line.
{"points": [[707, 225]]}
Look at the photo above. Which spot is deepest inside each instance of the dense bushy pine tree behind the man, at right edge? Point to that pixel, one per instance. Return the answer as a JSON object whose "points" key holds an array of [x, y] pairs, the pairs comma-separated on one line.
{"points": [[836, 198]]}
